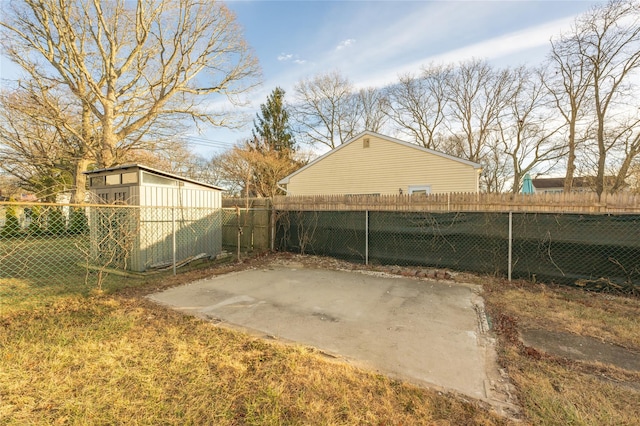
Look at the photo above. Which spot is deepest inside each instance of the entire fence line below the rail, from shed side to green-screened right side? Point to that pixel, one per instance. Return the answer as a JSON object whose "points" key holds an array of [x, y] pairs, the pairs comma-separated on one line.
{"points": [[52, 249]]}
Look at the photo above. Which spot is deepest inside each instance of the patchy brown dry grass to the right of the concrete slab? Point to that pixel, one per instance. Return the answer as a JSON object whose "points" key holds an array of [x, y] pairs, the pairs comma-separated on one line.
{"points": [[555, 390]]}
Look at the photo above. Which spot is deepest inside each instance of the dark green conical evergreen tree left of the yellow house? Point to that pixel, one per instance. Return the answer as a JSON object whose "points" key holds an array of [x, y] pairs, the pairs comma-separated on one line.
{"points": [[271, 127]]}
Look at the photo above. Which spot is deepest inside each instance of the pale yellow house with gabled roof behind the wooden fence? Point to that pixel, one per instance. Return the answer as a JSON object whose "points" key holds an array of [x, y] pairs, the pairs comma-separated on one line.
{"points": [[374, 164]]}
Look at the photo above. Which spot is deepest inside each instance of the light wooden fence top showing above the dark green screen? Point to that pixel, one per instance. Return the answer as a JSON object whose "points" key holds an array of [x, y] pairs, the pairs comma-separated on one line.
{"points": [[587, 203]]}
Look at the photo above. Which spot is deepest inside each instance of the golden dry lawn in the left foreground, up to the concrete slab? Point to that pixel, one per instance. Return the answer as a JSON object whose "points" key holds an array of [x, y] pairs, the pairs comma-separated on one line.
{"points": [[118, 359]]}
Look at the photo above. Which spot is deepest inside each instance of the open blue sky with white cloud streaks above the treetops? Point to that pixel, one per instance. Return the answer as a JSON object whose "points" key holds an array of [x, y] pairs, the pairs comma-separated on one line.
{"points": [[372, 42]]}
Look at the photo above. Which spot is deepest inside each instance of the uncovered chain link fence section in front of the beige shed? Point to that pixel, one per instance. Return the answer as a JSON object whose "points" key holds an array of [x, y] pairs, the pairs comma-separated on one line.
{"points": [[51, 249]]}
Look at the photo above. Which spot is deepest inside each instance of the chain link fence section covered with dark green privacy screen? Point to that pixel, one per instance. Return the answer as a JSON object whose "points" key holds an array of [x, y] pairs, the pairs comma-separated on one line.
{"points": [[600, 252]]}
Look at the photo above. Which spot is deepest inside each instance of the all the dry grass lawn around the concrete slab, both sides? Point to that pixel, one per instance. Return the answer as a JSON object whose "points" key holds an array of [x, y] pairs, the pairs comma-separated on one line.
{"points": [[115, 358]]}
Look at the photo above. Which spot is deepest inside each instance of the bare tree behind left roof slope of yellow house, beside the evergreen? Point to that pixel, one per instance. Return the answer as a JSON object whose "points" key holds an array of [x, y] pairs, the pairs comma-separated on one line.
{"points": [[324, 108]]}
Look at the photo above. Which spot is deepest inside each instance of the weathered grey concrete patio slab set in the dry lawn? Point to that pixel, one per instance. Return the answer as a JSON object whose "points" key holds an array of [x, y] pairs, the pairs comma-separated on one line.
{"points": [[428, 332]]}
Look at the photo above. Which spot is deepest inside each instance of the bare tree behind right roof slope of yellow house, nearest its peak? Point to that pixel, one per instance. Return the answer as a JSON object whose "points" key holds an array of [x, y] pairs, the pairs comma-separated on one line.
{"points": [[418, 105]]}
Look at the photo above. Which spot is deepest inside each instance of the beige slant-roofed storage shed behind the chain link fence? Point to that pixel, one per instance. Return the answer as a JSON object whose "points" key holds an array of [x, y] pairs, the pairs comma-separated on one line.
{"points": [[173, 219]]}
